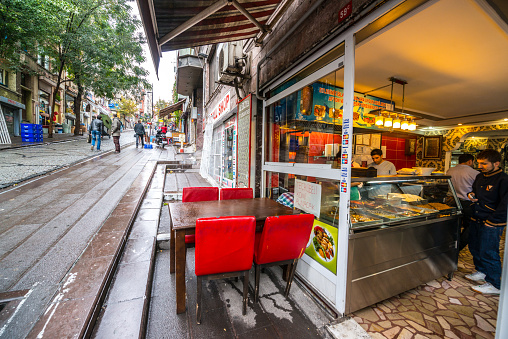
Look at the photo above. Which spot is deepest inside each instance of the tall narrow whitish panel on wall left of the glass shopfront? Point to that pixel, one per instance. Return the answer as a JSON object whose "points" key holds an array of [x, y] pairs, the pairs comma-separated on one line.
{"points": [[243, 127]]}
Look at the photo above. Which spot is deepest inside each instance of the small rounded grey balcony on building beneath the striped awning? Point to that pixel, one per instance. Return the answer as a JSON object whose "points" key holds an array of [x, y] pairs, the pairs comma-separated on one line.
{"points": [[189, 73]]}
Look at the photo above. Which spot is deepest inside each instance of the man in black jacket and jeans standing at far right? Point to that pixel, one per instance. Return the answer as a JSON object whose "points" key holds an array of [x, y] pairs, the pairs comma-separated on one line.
{"points": [[490, 197]]}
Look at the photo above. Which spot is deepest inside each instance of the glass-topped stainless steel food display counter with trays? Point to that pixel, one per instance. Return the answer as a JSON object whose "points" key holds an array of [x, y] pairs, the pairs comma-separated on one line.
{"points": [[403, 232]]}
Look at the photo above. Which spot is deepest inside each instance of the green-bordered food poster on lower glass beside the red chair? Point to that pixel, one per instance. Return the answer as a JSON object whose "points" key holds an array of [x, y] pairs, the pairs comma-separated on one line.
{"points": [[322, 245]]}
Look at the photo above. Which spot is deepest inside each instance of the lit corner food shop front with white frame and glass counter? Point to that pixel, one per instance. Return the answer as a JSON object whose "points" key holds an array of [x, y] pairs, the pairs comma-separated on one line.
{"points": [[323, 114]]}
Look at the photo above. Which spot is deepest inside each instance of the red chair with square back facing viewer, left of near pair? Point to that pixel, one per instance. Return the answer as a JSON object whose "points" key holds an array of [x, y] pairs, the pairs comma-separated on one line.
{"points": [[224, 248]]}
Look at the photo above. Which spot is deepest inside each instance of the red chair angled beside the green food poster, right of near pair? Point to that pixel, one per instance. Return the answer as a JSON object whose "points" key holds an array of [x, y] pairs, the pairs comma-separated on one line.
{"points": [[282, 242]]}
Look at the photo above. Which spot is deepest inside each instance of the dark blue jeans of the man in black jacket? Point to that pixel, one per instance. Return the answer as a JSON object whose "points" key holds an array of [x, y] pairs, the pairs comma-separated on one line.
{"points": [[484, 246]]}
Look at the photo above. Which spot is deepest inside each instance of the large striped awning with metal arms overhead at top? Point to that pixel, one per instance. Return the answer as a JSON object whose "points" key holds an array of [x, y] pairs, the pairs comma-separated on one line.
{"points": [[175, 24]]}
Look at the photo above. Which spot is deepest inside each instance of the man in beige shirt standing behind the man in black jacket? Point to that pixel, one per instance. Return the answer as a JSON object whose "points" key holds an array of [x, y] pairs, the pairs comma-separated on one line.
{"points": [[463, 176]]}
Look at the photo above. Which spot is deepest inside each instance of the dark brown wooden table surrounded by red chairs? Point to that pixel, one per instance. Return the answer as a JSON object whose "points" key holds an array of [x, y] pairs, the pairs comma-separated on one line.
{"points": [[183, 222]]}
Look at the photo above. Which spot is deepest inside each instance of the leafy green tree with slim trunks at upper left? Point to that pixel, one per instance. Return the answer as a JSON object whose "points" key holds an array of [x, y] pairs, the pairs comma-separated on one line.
{"points": [[94, 41]]}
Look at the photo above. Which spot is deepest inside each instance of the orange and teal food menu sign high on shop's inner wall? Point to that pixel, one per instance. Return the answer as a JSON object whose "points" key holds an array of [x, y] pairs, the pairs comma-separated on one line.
{"points": [[324, 103]]}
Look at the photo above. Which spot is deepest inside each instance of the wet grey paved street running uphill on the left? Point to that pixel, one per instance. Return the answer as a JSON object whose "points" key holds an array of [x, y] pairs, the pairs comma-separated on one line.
{"points": [[47, 223]]}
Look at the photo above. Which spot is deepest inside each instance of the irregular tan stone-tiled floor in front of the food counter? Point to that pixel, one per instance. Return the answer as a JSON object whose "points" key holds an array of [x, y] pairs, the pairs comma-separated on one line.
{"points": [[438, 309]]}
